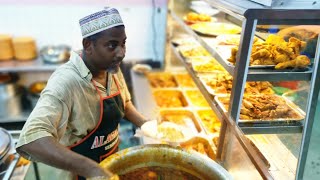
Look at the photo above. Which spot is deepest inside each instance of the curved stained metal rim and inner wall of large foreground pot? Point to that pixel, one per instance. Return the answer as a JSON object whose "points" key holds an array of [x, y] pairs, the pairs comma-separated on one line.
{"points": [[166, 156]]}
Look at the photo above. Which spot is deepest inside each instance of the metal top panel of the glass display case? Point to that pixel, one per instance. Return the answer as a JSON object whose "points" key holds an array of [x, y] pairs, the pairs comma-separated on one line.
{"points": [[244, 9]]}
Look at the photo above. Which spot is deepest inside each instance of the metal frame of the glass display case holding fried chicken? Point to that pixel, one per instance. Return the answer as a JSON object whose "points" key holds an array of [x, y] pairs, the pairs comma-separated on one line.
{"points": [[241, 73]]}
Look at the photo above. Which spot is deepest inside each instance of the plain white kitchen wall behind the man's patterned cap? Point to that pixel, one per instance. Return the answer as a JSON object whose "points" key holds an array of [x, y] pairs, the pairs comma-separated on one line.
{"points": [[56, 22]]}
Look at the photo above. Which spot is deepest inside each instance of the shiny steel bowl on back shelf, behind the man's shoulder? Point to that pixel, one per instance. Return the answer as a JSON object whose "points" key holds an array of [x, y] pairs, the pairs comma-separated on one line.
{"points": [[55, 54]]}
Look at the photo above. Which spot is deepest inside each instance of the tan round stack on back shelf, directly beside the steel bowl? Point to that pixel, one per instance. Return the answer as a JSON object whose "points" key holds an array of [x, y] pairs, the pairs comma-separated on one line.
{"points": [[24, 48]]}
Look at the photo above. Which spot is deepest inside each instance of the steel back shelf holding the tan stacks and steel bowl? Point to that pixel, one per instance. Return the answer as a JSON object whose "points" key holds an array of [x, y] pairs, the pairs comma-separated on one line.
{"points": [[36, 65]]}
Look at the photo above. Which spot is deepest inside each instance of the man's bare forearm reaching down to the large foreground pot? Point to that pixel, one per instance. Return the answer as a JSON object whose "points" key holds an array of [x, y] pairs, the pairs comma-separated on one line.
{"points": [[49, 151]]}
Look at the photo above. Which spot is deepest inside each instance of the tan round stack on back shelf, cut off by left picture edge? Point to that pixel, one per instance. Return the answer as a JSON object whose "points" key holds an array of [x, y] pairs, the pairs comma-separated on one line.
{"points": [[6, 49]]}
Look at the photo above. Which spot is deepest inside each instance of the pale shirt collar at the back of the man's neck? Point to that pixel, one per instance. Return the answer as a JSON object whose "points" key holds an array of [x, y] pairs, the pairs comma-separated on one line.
{"points": [[81, 67]]}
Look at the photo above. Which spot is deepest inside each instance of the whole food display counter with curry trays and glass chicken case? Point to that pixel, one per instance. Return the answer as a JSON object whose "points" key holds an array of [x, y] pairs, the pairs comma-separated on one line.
{"points": [[227, 72]]}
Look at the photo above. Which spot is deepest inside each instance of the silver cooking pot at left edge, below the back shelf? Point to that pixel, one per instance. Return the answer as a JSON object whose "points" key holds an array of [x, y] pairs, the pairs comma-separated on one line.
{"points": [[10, 96]]}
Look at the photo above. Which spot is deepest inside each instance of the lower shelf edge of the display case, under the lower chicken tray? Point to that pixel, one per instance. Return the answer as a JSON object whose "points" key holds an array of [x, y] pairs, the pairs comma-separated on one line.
{"points": [[247, 128]]}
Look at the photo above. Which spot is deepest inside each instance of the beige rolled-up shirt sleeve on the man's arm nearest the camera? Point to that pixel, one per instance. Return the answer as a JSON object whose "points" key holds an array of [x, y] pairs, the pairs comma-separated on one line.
{"points": [[48, 118]]}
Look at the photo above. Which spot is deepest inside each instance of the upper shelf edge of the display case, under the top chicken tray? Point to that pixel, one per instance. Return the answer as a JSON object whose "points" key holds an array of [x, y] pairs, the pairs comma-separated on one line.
{"points": [[253, 74]]}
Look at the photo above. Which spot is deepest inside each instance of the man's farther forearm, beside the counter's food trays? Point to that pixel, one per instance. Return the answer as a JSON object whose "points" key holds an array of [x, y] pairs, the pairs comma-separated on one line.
{"points": [[133, 115]]}
